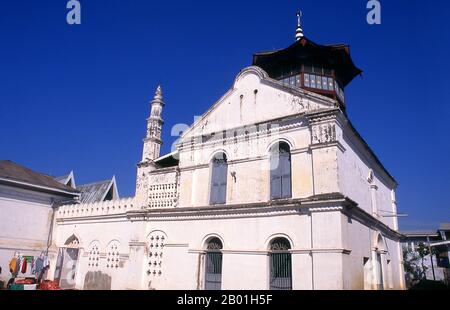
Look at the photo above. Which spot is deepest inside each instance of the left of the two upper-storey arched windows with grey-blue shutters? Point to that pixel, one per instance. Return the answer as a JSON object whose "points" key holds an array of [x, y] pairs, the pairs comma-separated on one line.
{"points": [[219, 179]]}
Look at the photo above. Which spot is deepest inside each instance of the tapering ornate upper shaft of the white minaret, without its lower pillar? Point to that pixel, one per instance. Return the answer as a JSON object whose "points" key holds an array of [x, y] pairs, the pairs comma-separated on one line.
{"points": [[152, 141]]}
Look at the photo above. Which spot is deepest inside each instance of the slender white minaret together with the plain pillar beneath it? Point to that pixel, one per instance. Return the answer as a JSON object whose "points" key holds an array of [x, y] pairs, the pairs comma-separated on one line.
{"points": [[152, 146]]}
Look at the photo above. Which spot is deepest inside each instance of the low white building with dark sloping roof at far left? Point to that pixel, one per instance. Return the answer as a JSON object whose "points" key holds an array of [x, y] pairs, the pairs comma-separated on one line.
{"points": [[27, 206]]}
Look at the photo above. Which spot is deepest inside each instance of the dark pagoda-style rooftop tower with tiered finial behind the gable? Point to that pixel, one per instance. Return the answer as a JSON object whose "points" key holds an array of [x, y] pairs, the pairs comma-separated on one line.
{"points": [[323, 69]]}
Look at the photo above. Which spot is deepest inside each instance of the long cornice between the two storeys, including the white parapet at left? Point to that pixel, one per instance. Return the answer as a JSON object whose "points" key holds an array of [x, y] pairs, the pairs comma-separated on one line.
{"points": [[333, 202]]}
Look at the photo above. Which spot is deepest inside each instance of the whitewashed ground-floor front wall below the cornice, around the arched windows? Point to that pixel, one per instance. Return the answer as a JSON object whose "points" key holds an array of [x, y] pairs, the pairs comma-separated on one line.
{"points": [[245, 240]]}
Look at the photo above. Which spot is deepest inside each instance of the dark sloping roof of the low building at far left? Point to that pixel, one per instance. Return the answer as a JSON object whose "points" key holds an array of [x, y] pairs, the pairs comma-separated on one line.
{"points": [[14, 172]]}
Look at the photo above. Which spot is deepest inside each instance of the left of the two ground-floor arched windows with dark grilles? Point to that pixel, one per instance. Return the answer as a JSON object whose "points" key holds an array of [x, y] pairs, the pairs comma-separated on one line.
{"points": [[213, 265]]}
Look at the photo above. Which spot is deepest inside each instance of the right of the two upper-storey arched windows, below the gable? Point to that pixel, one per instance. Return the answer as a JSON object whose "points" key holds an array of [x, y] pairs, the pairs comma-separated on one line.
{"points": [[280, 171]]}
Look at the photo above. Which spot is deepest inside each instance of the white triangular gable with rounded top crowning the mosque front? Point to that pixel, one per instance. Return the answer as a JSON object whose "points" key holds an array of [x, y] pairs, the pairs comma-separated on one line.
{"points": [[255, 98]]}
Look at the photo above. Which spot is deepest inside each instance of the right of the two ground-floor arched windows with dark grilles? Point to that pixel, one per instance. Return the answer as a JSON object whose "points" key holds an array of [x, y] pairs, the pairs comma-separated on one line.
{"points": [[280, 265]]}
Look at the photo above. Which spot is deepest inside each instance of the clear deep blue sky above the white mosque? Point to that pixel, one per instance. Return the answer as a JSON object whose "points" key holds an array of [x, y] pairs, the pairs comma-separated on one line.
{"points": [[76, 97]]}
